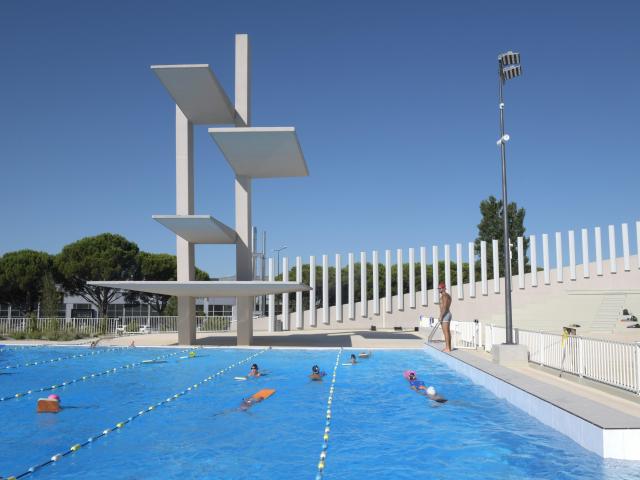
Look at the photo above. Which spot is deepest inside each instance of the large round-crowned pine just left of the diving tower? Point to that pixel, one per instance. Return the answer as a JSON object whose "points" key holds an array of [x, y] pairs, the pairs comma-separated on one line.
{"points": [[106, 257]]}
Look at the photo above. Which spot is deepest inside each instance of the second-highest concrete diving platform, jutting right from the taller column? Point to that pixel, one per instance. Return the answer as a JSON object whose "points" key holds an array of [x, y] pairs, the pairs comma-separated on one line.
{"points": [[261, 152]]}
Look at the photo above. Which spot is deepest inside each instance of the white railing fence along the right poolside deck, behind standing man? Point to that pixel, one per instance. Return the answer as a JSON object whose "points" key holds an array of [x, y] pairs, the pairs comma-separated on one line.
{"points": [[605, 361]]}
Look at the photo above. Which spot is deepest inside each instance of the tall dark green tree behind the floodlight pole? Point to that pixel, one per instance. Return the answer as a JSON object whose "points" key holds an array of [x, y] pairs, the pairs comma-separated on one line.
{"points": [[491, 228]]}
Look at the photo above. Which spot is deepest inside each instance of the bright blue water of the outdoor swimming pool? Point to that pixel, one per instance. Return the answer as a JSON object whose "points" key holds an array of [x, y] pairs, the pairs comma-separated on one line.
{"points": [[379, 428]]}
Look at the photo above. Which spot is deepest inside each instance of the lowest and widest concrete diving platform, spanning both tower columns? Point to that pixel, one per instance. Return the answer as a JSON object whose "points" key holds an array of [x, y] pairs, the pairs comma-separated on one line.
{"points": [[206, 289]]}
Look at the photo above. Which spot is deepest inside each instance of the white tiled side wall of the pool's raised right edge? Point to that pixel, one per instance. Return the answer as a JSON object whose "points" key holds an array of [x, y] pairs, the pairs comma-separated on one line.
{"points": [[616, 443]]}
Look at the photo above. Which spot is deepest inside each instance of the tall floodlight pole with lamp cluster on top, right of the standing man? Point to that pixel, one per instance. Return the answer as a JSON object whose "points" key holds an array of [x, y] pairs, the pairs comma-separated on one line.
{"points": [[508, 67]]}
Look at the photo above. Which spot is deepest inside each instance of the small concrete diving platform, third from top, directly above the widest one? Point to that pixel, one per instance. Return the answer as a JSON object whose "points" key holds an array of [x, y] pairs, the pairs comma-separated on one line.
{"points": [[199, 229]]}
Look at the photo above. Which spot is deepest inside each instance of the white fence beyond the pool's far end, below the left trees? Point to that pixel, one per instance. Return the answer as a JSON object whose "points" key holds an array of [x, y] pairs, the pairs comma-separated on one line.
{"points": [[112, 326]]}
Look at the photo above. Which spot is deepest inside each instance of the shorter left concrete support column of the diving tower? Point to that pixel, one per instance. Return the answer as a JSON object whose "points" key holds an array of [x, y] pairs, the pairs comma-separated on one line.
{"points": [[185, 252]]}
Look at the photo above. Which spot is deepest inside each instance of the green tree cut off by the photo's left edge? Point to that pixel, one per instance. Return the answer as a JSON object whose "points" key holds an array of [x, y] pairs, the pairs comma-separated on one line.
{"points": [[21, 276]]}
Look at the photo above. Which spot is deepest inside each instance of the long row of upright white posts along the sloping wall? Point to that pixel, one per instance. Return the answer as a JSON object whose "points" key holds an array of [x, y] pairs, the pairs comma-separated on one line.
{"points": [[471, 258]]}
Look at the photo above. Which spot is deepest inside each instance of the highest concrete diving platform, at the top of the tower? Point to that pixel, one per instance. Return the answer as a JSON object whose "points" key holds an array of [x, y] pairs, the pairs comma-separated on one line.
{"points": [[197, 93]]}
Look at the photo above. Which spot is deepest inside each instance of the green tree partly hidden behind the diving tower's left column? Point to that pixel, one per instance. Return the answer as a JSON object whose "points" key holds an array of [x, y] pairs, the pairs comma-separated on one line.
{"points": [[161, 267]]}
